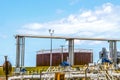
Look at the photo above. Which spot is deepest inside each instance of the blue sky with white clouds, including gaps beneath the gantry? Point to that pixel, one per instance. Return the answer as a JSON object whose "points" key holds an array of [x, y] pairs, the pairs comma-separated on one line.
{"points": [[78, 18]]}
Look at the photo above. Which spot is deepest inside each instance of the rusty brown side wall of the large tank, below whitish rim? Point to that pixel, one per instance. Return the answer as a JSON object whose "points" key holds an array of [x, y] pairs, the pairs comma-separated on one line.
{"points": [[80, 58]]}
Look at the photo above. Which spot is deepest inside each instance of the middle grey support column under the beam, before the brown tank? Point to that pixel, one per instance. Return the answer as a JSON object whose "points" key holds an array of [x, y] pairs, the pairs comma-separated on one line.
{"points": [[71, 51]]}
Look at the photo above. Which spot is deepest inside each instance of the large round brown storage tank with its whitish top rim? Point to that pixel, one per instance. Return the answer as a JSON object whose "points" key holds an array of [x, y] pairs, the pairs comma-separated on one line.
{"points": [[81, 57]]}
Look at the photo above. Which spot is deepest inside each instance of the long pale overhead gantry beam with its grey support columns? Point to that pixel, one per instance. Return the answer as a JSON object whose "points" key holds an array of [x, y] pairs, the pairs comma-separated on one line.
{"points": [[20, 46]]}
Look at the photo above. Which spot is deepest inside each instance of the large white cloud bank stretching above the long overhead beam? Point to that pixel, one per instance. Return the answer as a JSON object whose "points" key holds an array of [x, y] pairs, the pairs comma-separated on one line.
{"points": [[101, 22]]}
